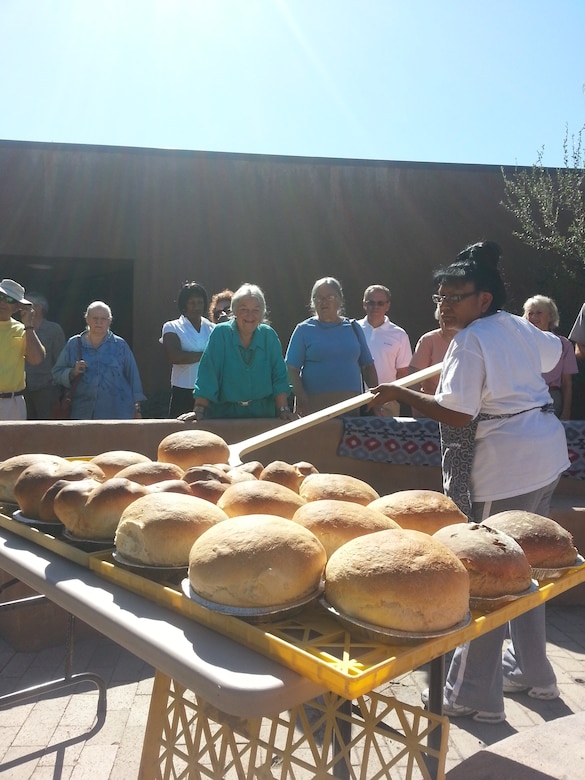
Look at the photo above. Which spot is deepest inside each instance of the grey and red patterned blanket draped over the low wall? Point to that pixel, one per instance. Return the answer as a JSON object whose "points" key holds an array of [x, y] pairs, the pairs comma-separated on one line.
{"points": [[408, 441]]}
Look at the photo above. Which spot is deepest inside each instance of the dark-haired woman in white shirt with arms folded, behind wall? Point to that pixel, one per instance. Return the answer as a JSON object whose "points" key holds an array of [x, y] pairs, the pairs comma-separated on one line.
{"points": [[184, 341]]}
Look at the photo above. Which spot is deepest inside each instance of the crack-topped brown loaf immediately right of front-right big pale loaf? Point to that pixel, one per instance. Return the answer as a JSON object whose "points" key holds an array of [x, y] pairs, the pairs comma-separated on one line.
{"points": [[496, 563]]}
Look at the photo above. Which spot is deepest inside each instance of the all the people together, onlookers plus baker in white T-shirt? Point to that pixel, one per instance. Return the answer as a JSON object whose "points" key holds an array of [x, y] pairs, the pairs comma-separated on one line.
{"points": [[505, 382]]}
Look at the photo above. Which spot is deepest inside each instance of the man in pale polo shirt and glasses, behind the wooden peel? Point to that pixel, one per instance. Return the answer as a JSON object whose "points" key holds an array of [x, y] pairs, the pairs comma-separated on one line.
{"points": [[388, 343]]}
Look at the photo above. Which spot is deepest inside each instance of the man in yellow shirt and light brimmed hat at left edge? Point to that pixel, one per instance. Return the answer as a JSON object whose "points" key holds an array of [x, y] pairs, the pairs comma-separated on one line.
{"points": [[18, 341]]}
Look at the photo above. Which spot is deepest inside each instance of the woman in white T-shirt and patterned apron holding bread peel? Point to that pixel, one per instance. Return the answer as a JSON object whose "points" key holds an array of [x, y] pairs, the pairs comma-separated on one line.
{"points": [[503, 449]]}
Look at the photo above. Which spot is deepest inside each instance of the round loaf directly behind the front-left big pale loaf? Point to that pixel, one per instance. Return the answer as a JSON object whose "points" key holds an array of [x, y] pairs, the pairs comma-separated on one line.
{"points": [[256, 497]]}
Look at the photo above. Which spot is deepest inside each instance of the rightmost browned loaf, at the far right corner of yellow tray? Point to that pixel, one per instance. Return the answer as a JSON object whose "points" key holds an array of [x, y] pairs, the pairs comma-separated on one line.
{"points": [[546, 544]]}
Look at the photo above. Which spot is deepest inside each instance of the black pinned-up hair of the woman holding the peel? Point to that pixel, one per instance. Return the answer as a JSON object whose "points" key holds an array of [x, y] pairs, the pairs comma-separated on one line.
{"points": [[478, 264]]}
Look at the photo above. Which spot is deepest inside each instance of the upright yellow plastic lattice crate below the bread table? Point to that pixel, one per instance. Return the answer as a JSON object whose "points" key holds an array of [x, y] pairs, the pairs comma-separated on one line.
{"points": [[329, 737]]}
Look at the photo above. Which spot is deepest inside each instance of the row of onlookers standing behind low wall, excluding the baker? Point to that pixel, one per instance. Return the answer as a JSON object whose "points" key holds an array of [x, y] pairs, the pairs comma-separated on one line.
{"points": [[330, 357]]}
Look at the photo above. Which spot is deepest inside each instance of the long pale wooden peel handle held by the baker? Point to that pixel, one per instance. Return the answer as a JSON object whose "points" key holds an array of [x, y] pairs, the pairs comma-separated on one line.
{"points": [[295, 426]]}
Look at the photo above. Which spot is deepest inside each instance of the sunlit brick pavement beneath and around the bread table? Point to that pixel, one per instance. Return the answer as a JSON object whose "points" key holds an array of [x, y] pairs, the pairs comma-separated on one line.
{"points": [[61, 737]]}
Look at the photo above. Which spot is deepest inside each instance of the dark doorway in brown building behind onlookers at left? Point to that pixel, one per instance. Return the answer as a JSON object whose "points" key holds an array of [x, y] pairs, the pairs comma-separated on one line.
{"points": [[71, 283]]}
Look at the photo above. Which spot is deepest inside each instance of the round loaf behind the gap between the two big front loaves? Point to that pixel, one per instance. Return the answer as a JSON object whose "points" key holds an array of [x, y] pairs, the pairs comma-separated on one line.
{"points": [[336, 522]]}
